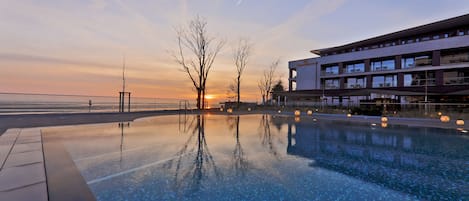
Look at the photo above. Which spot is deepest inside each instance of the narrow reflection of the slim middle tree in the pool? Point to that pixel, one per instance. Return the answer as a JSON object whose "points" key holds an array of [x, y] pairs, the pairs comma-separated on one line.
{"points": [[240, 162]]}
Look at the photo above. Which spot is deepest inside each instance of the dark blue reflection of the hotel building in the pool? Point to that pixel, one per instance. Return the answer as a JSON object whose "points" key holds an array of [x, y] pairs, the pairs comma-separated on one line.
{"points": [[430, 166]]}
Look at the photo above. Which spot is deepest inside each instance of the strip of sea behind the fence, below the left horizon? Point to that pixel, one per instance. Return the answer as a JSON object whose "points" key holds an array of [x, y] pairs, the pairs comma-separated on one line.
{"points": [[23, 103]]}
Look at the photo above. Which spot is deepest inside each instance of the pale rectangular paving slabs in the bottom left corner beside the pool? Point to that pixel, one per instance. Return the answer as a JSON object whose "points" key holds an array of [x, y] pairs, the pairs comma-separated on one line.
{"points": [[22, 172]]}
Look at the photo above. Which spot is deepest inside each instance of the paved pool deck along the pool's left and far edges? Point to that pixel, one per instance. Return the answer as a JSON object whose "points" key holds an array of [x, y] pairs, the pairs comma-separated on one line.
{"points": [[22, 164]]}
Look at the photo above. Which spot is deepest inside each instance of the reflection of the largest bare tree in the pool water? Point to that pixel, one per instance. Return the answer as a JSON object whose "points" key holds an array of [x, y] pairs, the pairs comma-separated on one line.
{"points": [[189, 170]]}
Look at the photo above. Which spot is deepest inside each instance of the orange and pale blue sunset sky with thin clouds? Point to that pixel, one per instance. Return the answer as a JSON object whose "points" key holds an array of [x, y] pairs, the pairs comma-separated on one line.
{"points": [[76, 47]]}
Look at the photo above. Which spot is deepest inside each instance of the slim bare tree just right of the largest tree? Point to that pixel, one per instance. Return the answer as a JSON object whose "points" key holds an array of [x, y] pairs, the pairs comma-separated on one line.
{"points": [[241, 55]]}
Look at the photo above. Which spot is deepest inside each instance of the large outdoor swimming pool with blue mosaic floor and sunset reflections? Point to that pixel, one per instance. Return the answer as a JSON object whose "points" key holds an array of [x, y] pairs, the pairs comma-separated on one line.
{"points": [[263, 157]]}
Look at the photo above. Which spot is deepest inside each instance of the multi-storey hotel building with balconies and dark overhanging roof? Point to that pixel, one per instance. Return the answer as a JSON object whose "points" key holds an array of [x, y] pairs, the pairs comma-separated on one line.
{"points": [[428, 63]]}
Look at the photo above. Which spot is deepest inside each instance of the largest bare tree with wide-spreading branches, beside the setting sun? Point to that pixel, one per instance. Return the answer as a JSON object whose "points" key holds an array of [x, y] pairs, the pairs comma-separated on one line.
{"points": [[196, 53]]}
